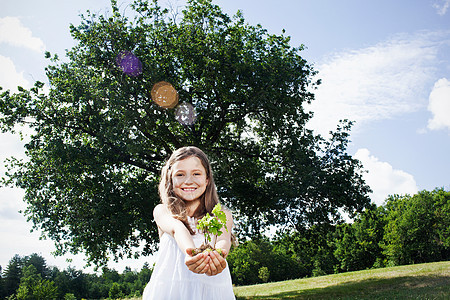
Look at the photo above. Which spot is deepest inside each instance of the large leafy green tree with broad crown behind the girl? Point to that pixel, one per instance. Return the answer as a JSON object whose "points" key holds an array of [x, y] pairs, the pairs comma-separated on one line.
{"points": [[99, 140]]}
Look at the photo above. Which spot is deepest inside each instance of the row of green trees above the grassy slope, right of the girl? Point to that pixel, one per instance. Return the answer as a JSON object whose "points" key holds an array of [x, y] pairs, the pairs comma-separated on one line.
{"points": [[405, 230]]}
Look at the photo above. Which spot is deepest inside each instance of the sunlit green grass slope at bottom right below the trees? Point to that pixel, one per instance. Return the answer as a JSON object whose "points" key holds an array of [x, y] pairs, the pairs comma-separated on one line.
{"points": [[423, 281]]}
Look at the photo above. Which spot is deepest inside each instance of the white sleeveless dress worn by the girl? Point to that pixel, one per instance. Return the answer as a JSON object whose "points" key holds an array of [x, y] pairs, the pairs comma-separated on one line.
{"points": [[172, 280]]}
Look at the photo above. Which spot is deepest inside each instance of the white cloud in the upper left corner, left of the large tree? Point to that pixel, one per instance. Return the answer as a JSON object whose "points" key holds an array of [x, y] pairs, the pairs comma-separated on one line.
{"points": [[13, 32]]}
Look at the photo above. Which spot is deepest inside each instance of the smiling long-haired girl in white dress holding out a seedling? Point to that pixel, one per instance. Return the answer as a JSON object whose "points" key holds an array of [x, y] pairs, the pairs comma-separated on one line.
{"points": [[188, 192]]}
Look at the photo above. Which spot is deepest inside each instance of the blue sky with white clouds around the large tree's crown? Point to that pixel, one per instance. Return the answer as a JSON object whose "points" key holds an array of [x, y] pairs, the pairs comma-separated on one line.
{"points": [[384, 64]]}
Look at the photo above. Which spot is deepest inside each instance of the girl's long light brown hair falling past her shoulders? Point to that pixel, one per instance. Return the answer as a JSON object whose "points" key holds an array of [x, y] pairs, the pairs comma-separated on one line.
{"points": [[176, 205]]}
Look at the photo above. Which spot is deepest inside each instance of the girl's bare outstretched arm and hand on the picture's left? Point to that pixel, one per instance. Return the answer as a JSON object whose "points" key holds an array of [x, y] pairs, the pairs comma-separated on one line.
{"points": [[168, 224]]}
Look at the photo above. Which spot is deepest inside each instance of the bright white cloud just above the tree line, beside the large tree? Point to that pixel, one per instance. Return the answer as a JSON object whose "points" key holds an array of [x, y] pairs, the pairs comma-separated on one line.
{"points": [[383, 179]]}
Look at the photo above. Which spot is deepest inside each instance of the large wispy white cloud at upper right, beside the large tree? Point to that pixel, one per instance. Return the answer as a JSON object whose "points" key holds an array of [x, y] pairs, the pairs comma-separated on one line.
{"points": [[374, 83]]}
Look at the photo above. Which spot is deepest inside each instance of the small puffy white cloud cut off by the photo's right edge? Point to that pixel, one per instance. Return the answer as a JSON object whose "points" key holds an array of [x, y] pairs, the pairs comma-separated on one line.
{"points": [[439, 105]]}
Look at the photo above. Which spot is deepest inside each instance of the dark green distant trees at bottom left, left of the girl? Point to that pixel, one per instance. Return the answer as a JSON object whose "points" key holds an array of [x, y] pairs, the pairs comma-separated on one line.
{"points": [[29, 277]]}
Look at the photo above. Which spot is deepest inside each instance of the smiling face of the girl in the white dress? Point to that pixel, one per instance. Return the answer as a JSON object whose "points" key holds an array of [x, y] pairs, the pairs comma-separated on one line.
{"points": [[189, 179]]}
